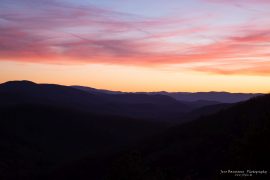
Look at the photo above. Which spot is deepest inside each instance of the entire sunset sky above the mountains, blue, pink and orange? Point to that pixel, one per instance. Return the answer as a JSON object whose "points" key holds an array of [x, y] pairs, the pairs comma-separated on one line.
{"points": [[153, 45]]}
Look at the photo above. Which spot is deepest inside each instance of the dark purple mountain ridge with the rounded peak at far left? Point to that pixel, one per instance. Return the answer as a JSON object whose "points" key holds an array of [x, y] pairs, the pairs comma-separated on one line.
{"points": [[153, 107]]}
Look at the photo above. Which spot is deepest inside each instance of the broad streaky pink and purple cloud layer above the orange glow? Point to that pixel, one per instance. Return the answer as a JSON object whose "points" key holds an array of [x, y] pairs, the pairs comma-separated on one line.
{"points": [[53, 31]]}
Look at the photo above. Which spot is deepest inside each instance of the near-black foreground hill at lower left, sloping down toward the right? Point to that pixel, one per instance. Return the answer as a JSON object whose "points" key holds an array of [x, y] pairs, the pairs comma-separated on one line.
{"points": [[36, 138]]}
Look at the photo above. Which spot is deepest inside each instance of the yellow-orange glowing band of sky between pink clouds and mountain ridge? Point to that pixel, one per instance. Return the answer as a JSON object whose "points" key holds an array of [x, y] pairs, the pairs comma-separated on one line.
{"points": [[133, 79]]}
